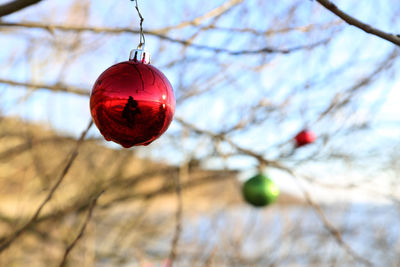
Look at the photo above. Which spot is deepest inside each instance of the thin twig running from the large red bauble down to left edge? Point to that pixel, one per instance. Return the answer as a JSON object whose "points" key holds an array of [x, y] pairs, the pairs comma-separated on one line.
{"points": [[68, 165]]}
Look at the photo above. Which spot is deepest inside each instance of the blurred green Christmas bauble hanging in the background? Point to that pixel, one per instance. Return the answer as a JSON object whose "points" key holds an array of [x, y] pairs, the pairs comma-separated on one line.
{"points": [[260, 191]]}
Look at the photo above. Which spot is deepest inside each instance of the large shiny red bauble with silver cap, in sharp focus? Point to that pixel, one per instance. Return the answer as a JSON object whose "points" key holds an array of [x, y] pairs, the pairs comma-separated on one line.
{"points": [[132, 103]]}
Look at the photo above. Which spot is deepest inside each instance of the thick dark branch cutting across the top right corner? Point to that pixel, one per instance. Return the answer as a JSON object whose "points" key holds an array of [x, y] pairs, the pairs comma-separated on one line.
{"points": [[395, 39]]}
